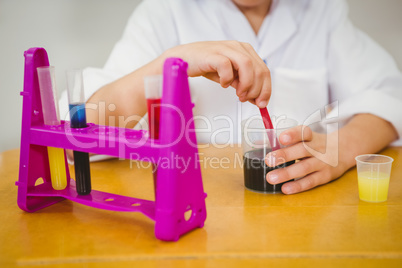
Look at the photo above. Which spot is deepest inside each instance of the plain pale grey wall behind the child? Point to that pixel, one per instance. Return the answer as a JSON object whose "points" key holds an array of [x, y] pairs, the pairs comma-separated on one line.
{"points": [[79, 33]]}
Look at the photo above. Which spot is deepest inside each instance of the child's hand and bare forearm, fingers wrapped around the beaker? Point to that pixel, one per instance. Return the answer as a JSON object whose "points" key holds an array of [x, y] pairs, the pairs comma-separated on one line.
{"points": [[323, 157]]}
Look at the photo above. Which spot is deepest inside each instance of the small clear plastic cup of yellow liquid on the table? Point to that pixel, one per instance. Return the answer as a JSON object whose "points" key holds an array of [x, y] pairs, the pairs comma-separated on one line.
{"points": [[373, 175]]}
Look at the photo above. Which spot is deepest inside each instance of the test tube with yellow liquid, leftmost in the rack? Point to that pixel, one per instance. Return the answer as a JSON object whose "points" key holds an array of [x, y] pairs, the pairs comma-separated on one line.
{"points": [[50, 109]]}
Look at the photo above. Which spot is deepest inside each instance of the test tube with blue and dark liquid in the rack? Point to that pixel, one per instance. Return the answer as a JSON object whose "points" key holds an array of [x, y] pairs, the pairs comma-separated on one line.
{"points": [[75, 88]]}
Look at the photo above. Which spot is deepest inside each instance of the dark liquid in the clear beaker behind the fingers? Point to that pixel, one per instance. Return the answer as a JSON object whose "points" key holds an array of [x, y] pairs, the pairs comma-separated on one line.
{"points": [[255, 172]]}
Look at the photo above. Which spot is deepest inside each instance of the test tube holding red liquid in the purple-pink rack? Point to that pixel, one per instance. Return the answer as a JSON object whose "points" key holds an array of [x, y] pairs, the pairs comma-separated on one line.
{"points": [[153, 95]]}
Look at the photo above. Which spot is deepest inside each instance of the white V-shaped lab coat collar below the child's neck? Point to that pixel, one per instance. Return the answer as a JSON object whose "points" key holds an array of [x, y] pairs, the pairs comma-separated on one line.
{"points": [[278, 26]]}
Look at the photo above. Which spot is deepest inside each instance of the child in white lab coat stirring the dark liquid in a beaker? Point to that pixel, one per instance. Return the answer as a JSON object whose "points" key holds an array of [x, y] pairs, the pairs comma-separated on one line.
{"points": [[315, 58]]}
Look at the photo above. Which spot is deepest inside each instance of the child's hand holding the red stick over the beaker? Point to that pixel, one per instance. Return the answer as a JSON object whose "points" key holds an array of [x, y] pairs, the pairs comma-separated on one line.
{"points": [[229, 63]]}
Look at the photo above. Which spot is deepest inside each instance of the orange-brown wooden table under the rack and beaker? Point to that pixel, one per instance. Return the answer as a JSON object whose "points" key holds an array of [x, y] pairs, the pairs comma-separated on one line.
{"points": [[327, 226]]}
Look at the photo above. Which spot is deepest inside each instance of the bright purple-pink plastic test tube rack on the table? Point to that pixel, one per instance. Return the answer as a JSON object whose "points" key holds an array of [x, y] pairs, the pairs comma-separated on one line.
{"points": [[178, 191]]}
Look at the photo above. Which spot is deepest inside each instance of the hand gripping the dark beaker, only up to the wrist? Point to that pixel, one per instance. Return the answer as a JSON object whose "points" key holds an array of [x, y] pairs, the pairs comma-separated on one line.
{"points": [[318, 154]]}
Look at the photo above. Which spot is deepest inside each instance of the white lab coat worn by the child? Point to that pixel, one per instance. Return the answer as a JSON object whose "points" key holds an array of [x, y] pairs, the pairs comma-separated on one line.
{"points": [[315, 54]]}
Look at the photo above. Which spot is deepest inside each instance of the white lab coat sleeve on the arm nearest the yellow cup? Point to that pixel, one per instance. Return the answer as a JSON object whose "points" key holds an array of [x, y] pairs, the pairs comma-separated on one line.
{"points": [[363, 77]]}
